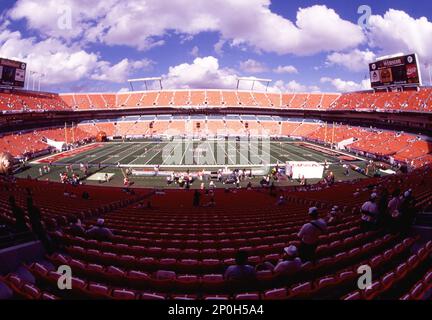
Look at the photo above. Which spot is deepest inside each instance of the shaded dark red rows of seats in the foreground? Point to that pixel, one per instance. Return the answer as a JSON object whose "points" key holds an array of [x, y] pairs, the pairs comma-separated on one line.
{"points": [[174, 251]]}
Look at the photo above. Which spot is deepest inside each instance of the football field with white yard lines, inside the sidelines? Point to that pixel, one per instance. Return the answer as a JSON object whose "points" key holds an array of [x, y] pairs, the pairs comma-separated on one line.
{"points": [[194, 154]]}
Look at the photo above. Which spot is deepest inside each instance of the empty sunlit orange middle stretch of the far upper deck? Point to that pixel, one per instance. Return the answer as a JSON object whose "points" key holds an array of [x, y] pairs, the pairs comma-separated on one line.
{"points": [[199, 98]]}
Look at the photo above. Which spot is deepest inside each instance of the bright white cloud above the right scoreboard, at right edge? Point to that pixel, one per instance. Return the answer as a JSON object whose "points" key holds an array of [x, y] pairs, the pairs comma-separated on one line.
{"points": [[397, 31]]}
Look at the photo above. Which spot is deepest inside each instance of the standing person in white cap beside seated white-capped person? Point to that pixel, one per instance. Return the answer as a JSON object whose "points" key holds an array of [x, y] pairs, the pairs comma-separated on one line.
{"points": [[309, 235]]}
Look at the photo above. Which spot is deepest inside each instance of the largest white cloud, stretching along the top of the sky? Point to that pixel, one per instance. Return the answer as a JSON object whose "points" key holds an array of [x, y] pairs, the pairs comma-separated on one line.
{"points": [[143, 24]]}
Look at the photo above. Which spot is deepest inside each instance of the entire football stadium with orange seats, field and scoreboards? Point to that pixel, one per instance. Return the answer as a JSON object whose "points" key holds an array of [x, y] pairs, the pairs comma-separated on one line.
{"points": [[208, 193]]}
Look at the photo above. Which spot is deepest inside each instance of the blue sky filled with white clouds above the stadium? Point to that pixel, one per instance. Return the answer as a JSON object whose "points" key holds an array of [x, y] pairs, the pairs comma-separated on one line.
{"points": [[301, 45]]}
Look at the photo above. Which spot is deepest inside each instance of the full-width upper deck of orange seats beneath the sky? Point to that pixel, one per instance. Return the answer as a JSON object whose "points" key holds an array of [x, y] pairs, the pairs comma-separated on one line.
{"points": [[410, 101]]}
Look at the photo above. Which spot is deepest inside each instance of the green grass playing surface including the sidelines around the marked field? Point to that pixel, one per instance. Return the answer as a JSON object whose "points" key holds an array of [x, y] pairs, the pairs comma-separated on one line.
{"points": [[180, 155]]}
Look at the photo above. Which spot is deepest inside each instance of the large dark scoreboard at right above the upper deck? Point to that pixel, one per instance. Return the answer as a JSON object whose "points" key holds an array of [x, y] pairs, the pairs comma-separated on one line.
{"points": [[397, 71]]}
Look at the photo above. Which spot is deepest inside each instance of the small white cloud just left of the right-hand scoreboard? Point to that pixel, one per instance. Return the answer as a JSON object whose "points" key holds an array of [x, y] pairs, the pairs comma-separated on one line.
{"points": [[355, 60]]}
